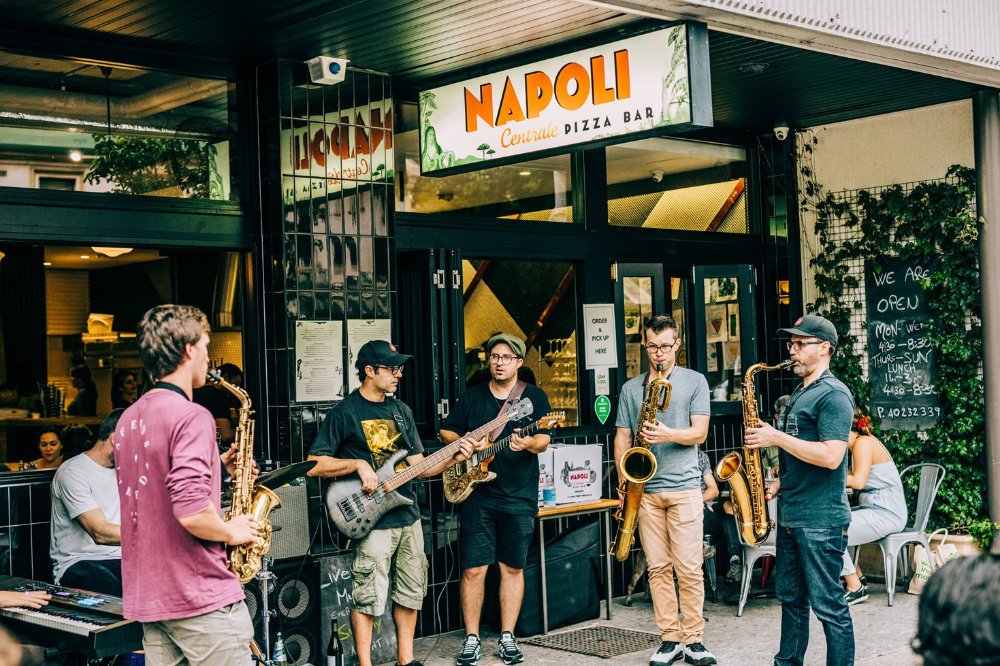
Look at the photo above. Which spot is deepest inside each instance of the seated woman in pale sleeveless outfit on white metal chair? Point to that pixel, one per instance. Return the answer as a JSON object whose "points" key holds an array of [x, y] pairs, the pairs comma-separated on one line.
{"points": [[881, 506]]}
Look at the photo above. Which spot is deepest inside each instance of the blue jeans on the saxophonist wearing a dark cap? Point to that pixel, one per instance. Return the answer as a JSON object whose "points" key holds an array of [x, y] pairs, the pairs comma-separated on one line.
{"points": [[808, 574]]}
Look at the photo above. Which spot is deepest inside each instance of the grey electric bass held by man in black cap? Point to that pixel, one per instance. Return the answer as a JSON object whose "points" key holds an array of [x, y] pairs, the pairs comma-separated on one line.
{"points": [[355, 512]]}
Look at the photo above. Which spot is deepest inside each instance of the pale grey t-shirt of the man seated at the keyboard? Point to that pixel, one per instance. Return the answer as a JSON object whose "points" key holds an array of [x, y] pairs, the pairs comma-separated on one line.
{"points": [[81, 485]]}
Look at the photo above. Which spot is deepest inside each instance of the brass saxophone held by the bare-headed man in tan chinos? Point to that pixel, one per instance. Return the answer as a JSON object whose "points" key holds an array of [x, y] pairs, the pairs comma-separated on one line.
{"points": [[638, 466]]}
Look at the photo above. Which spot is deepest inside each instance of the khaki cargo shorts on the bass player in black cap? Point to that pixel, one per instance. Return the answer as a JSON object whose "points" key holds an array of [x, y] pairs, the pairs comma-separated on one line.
{"points": [[396, 553]]}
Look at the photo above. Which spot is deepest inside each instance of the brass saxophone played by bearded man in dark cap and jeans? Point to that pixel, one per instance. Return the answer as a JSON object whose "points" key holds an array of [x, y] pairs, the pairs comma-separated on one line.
{"points": [[744, 473]]}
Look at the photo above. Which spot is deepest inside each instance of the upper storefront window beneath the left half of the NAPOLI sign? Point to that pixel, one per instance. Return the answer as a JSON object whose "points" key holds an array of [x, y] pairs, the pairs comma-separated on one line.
{"points": [[536, 190]]}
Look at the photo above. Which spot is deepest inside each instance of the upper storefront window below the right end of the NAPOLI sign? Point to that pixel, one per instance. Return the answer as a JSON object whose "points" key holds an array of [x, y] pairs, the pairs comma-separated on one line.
{"points": [[682, 185]]}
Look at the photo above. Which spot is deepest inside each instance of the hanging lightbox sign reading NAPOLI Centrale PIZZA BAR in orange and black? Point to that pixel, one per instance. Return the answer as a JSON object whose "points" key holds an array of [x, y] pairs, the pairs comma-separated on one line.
{"points": [[651, 84]]}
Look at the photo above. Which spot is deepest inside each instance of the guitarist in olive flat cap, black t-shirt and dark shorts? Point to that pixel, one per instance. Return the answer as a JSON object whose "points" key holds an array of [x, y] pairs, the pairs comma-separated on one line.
{"points": [[507, 505]]}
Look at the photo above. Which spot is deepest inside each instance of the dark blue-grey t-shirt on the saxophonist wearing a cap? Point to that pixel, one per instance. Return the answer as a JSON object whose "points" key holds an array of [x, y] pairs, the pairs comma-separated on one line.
{"points": [[813, 496]]}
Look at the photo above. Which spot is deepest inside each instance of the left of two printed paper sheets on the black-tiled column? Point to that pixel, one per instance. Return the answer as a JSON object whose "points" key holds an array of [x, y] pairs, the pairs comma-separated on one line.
{"points": [[319, 360]]}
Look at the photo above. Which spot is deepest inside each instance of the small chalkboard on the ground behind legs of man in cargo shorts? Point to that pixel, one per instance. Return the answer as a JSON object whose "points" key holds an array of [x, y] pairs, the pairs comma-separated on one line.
{"points": [[335, 586]]}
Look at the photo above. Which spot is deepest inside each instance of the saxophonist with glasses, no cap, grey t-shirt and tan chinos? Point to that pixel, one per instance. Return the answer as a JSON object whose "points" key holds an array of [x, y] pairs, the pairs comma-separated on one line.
{"points": [[670, 513]]}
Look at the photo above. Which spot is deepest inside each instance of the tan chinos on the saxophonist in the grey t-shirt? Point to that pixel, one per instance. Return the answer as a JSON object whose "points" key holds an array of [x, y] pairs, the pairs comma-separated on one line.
{"points": [[671, 529]]}
